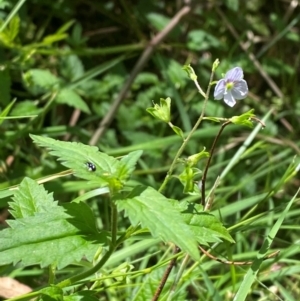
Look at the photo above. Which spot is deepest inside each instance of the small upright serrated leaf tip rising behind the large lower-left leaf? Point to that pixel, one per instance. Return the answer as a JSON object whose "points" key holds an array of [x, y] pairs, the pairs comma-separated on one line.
{"points": [[30, 199]]}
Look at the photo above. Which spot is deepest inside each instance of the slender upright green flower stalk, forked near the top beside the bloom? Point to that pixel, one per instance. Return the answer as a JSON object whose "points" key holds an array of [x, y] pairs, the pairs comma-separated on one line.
{"points": [[186, 140]]}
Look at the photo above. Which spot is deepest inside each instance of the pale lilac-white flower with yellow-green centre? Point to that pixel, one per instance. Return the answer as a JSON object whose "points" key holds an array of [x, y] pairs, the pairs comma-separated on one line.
{"points": [[232, 87]]}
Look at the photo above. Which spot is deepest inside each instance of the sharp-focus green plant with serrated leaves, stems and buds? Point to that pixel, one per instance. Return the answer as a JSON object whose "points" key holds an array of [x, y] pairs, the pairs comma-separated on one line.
{"points": [[70, 231]]}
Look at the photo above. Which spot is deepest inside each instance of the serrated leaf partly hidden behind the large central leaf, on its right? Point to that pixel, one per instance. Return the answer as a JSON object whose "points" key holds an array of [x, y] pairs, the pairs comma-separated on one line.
{"points": [[206, 227]]}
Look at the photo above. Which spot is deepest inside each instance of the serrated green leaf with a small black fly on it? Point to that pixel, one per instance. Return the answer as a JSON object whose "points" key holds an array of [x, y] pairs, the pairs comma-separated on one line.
{"points": [[77, 156]]}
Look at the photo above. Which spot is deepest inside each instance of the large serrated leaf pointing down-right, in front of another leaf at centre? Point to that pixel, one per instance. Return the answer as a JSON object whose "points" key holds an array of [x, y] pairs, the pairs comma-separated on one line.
{"points": [[157, 213]]}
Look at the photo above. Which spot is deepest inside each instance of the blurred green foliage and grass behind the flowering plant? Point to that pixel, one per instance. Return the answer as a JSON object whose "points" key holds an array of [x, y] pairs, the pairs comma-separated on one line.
{"points": [[65, 63]]}
